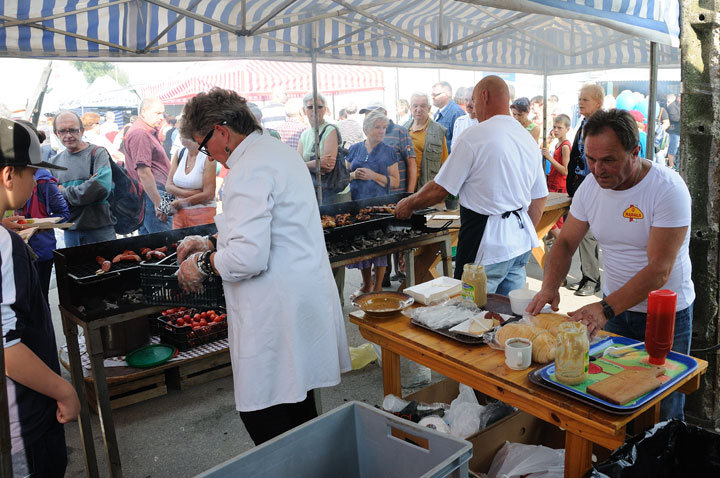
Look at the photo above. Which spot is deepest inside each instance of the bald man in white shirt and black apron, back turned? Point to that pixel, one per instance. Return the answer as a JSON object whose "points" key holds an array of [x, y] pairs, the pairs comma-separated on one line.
{"points": [[496, 171]]}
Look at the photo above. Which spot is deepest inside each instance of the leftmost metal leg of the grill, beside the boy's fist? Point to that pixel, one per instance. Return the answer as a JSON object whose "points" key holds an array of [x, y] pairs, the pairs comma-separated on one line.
{"points": [[76, 373]]}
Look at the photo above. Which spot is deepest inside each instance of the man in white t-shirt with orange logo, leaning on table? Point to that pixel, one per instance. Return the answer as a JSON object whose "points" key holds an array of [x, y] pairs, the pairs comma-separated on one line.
{"points": [[640, 214]]}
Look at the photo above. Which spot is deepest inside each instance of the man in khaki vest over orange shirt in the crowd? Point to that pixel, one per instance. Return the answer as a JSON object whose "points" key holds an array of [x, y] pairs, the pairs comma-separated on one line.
{"points": [[428, 138]]}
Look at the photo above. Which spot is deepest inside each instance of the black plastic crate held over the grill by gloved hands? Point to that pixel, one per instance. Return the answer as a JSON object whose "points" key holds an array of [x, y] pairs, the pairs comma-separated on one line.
{"points": [[160, 286]]}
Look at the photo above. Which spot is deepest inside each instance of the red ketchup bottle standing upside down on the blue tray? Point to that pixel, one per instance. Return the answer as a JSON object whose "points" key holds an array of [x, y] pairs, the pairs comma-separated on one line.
{"points": [[660, 325]]}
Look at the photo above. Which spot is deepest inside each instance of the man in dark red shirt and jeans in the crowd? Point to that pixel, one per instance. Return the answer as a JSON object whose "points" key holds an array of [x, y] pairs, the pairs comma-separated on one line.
{"points": [[146, 161]]}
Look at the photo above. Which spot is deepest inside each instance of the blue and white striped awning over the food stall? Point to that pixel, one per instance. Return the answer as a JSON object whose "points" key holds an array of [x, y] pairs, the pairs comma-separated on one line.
{"points": [[533, 36]]}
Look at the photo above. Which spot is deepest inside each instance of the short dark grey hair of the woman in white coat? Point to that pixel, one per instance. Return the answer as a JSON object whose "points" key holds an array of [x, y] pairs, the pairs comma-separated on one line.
{"points": [[217, 106]]}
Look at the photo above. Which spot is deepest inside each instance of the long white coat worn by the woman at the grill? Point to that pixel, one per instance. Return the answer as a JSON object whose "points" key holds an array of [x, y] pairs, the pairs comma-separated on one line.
{"points": [[285, 323]]}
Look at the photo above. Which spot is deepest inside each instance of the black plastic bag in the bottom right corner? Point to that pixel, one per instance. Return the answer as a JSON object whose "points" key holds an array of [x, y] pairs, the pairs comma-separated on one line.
{"points": [[670, 449]]}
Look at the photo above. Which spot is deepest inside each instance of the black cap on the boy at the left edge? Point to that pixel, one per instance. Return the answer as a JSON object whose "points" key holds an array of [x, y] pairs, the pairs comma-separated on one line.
{"points": [[19, 146]]}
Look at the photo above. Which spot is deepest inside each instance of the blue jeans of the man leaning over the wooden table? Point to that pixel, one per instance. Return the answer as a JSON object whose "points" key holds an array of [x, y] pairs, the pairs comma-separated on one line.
{"points": [[632, 325]]}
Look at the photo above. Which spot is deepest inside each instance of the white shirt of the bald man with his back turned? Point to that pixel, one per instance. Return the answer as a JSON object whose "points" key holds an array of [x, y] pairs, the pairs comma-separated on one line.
{"points": [[496, 167]]}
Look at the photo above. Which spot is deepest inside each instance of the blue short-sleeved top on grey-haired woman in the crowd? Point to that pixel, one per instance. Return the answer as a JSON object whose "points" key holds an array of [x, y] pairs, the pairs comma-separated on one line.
{"points": [[379, 159]]}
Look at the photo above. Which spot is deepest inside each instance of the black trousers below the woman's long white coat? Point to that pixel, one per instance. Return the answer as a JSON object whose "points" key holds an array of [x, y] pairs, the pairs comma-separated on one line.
{"points": [[264, 425]]}
